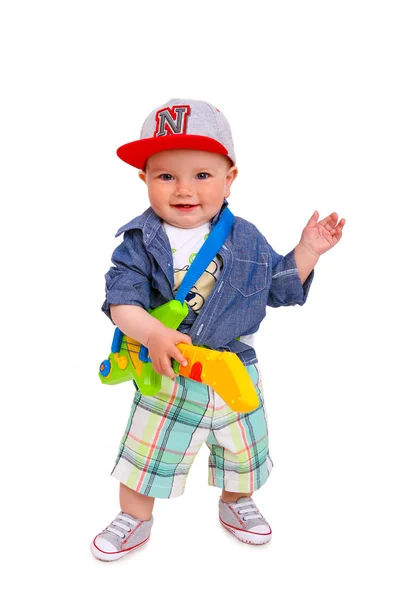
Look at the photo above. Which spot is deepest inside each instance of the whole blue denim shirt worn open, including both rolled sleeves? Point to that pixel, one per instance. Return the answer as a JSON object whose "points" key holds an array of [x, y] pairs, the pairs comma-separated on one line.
{"points": [[253, 276]]}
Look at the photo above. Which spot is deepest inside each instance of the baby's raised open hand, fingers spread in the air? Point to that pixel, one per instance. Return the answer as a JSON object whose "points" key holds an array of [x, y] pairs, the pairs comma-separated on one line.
{"points": [[320, 236]]}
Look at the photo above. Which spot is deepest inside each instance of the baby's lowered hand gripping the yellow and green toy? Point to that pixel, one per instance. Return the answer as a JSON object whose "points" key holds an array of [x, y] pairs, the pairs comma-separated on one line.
{"points": [[162, 348]]}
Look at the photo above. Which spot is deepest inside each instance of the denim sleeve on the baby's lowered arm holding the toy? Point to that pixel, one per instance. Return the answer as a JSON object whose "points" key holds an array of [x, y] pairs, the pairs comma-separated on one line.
{"points": [[128, 281]]}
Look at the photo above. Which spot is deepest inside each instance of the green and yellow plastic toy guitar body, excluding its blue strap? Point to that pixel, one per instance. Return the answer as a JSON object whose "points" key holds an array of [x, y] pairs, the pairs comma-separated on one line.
{"points": [[223, 371]]}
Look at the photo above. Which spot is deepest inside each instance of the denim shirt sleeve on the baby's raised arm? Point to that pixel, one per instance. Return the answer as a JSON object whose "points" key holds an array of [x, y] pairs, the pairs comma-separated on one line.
{"points": [[286, 288]]}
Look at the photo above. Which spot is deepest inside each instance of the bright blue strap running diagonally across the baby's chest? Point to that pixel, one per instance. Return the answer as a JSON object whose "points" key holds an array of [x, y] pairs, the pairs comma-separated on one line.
{"points": [[206, 253]]}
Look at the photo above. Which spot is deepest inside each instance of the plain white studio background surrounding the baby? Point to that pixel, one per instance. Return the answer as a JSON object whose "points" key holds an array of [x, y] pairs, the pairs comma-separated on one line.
{"points": [[311, 89]]}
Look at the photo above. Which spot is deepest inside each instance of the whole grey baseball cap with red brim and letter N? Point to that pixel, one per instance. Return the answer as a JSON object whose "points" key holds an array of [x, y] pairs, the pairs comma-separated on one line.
{"points": [[180, 124]]}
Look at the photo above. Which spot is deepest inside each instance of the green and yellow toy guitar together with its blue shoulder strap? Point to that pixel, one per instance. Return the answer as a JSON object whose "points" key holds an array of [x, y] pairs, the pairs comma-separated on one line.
{"points": [[223, 371]]}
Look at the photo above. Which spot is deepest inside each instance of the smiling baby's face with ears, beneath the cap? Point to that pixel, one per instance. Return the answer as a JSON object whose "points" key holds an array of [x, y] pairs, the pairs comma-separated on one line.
{"points": [[187, 187]]}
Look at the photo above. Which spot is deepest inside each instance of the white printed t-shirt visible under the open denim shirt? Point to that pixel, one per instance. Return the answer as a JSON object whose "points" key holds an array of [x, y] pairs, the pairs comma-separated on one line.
{"points": [[185, 244]]}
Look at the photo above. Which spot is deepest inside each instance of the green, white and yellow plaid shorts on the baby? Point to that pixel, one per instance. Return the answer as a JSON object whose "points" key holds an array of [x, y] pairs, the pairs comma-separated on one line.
{"points": [[165, 432]]}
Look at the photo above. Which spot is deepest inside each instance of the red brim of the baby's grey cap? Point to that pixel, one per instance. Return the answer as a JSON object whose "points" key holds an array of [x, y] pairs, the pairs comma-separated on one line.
{"points": [[137, 153]]}
